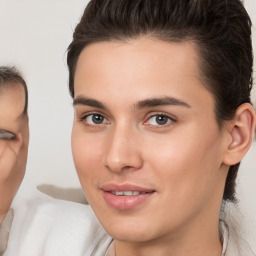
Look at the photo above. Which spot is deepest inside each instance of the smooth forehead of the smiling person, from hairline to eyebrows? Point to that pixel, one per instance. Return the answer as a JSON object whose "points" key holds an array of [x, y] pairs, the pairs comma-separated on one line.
{"points": [[149, 64]]}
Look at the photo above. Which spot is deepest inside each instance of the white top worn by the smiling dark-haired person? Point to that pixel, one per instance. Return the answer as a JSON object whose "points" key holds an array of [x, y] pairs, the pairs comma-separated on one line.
{"points": [[51, 227]]}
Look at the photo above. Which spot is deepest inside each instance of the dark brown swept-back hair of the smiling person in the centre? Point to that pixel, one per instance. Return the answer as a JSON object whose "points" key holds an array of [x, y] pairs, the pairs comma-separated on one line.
{"points": [[220, 30]]}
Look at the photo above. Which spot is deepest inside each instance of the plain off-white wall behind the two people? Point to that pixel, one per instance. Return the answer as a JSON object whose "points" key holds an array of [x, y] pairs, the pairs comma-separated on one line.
{"points": [[34, 36]]}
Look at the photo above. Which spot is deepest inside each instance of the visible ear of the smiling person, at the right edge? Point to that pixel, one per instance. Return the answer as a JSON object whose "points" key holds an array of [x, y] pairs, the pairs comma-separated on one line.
{"points": [[241, 131]]}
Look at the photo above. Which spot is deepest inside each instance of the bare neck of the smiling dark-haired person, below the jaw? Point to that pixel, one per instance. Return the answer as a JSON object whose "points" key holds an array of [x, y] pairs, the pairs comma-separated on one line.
{"points": [[199, 243]]}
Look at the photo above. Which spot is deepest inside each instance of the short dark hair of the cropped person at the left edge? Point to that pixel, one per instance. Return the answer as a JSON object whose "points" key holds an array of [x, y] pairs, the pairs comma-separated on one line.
{"points": [[11, 76]]}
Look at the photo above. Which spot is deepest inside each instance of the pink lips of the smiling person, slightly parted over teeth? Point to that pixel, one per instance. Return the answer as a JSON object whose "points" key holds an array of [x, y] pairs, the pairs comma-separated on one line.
{"points": [[125, 202]]}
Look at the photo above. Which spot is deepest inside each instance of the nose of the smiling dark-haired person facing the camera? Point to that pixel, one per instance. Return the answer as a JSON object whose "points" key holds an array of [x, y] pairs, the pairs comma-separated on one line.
{"points": [[123, 151]]}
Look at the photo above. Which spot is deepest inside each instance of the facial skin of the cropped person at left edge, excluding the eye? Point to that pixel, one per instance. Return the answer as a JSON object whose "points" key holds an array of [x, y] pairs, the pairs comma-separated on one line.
{"points": [[13, 152]]}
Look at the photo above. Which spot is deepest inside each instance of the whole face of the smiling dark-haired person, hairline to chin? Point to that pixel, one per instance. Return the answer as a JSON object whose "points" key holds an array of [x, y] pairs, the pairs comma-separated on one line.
{"points": [[146, 144]]}
